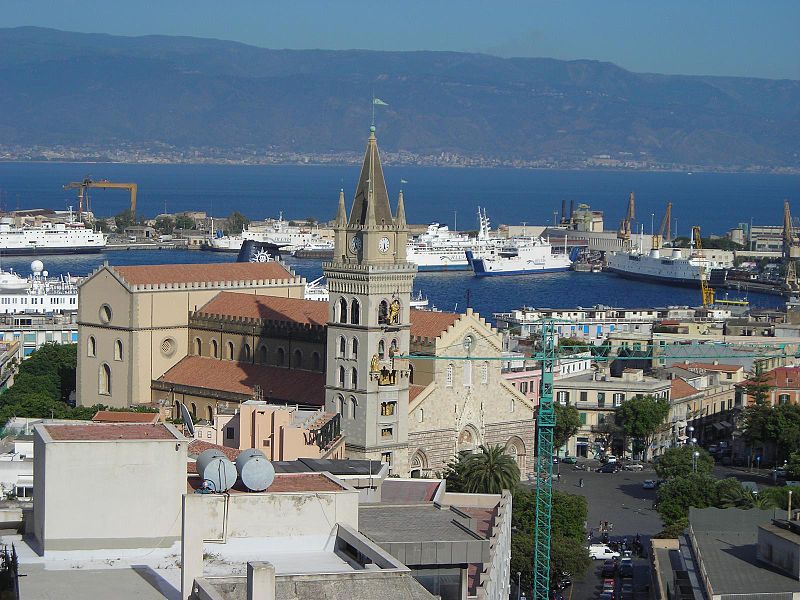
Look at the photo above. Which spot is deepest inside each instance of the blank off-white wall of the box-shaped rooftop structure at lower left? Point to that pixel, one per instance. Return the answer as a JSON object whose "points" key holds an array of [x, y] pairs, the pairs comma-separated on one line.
{"points": [[107, 494]]}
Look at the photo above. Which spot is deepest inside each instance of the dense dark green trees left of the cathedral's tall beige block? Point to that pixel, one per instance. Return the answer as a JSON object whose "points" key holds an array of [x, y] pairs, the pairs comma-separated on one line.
{"points": [[43, 385]]}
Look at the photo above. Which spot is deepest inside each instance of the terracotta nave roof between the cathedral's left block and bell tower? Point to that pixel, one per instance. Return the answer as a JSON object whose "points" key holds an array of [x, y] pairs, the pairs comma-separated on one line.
{"points": [[270, 308]]}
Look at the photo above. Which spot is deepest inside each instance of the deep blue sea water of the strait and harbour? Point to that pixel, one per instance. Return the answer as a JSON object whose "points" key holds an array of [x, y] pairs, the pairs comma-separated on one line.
{"points": [[716, 202]]}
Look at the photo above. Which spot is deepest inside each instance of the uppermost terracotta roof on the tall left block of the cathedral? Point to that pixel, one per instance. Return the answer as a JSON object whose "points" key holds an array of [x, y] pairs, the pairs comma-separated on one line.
{"points": [[160, 274]]}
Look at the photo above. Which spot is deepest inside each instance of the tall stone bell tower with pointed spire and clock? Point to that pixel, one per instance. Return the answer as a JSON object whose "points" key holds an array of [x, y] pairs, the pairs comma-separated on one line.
{"points": [[370, 283]]}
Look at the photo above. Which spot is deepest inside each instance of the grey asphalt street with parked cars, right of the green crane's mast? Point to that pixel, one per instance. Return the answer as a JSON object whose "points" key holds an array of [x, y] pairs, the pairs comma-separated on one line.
{"points": [[619, 499]]}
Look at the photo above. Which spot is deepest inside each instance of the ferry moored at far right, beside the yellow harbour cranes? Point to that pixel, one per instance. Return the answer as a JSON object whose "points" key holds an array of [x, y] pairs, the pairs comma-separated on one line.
{"points": [[665, 264]]}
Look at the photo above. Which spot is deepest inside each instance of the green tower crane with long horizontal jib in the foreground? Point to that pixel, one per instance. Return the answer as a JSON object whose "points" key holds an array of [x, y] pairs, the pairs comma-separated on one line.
{"points": [[546, 419]]}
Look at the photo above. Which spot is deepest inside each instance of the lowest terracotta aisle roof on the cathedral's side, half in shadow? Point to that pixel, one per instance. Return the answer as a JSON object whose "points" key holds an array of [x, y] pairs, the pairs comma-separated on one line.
{"points": [[286, 385]]}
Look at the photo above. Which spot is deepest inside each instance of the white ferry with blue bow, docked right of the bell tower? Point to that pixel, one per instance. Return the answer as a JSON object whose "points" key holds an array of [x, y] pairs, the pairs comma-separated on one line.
{"points": [[522, 256]]}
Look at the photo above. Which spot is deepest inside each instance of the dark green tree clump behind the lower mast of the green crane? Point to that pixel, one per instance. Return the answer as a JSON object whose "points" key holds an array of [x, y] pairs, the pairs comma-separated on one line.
{"points": [[567, 548]]}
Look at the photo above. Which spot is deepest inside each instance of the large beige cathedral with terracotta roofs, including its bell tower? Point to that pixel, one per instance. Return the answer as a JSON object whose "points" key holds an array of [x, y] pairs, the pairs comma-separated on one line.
{"points": [[408, 387]]}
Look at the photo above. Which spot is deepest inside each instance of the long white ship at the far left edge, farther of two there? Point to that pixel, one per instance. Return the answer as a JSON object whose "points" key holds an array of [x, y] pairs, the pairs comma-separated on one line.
{"points": [[49, 238]]}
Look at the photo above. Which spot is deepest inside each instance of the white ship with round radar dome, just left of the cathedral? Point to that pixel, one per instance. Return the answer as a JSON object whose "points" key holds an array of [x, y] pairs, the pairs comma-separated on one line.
{"points": [[38, 293]]}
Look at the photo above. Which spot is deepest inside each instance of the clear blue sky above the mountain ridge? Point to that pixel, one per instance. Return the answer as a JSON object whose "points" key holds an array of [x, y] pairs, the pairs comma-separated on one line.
{"points": [[698, 37]]}
